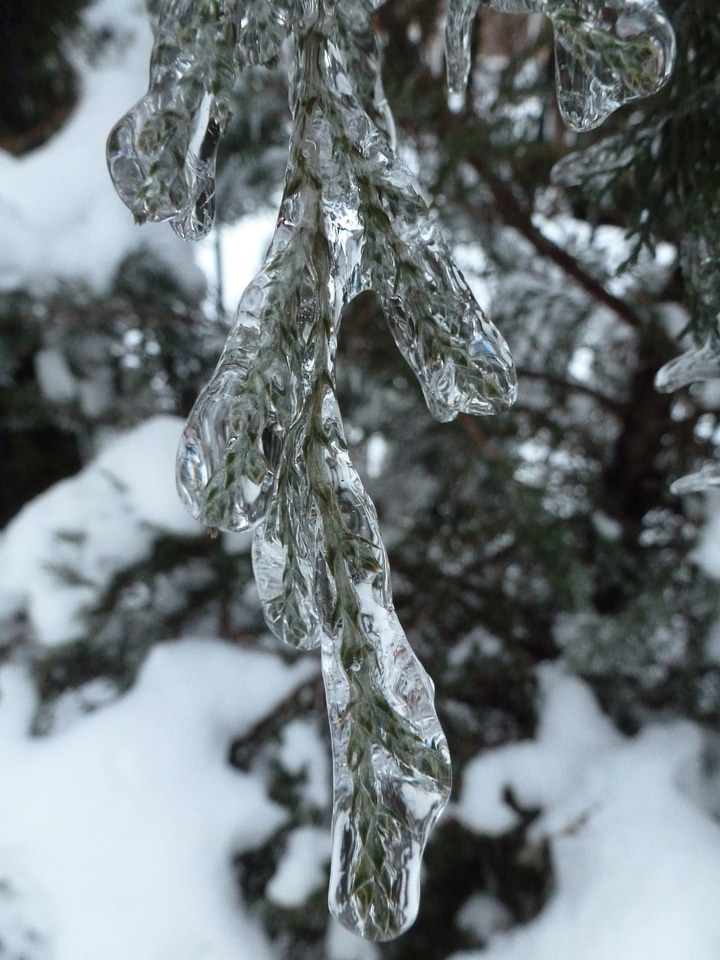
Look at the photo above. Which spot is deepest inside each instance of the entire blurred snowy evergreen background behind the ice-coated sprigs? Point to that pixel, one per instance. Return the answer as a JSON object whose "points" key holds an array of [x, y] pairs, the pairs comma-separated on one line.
{"points": [[164, 765]]}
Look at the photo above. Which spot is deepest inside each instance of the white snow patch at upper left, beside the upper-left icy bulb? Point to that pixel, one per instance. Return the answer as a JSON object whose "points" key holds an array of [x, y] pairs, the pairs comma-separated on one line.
{"points": [[59, 214]]}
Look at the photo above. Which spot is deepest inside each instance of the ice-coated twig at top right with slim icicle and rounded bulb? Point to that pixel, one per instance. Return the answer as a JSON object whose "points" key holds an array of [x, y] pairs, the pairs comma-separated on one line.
{"points": [[607, 52]]}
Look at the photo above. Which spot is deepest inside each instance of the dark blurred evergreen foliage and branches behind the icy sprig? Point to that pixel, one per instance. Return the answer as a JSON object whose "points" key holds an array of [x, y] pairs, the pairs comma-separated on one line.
{"points": [[545, 533]]}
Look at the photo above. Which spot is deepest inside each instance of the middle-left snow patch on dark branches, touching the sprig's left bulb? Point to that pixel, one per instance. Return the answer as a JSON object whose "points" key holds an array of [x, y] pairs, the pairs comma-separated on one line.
{"points": [[63, 548]]}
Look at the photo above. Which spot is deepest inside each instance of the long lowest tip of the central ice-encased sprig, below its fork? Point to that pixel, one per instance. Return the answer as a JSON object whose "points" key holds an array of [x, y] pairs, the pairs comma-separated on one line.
{"points": [[391, 766]]}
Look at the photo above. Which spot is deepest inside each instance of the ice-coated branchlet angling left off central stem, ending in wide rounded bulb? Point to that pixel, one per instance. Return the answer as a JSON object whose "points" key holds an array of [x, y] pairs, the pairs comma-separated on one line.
{"points": [[233, 439]]}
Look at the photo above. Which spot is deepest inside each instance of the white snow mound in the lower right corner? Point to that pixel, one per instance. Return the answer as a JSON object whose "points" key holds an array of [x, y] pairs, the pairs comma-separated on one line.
{"points": [[636, 857]]}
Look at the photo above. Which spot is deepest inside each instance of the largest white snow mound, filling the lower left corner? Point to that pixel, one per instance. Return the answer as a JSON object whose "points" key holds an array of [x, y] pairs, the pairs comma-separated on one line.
{"points": [[116, 835]]}
